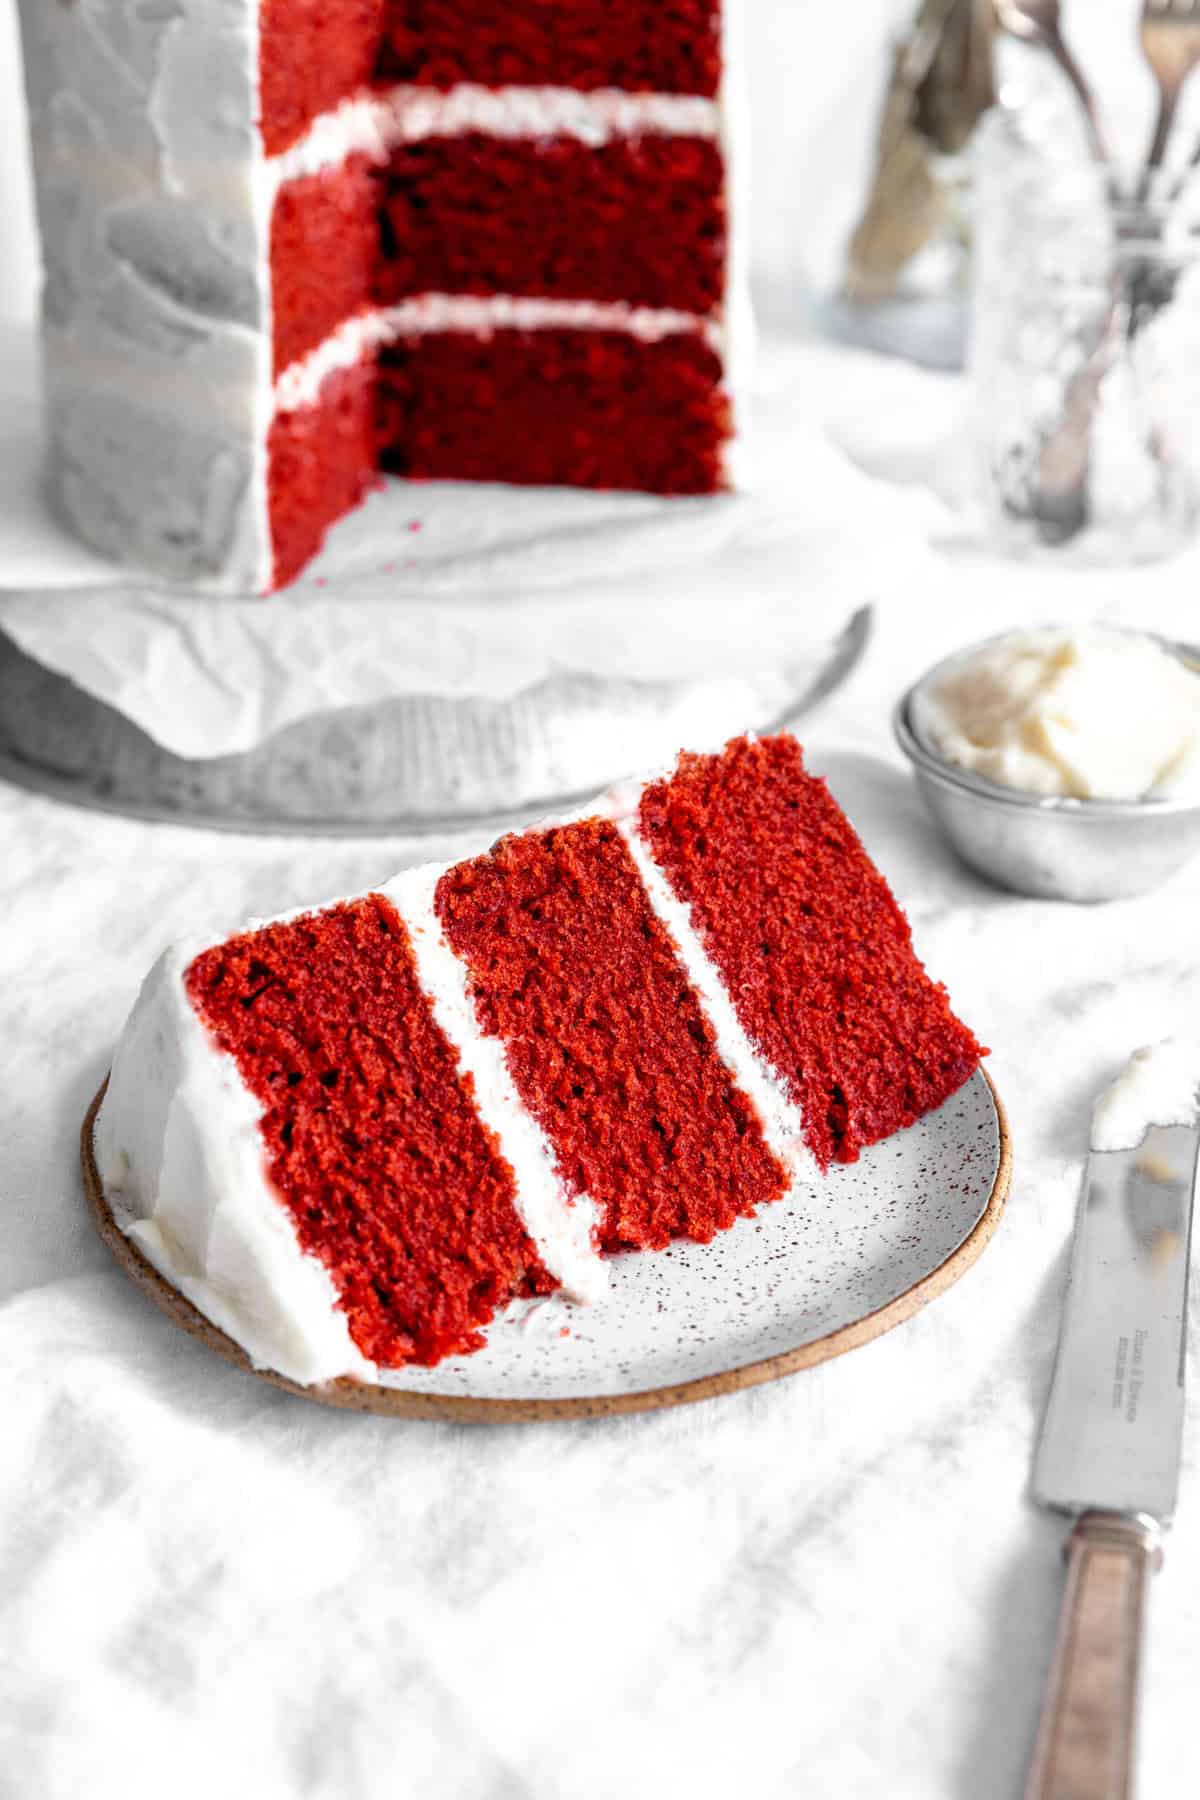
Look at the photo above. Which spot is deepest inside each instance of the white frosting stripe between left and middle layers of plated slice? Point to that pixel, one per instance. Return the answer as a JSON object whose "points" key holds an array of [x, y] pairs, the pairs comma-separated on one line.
{"points": [[562, 1230]]}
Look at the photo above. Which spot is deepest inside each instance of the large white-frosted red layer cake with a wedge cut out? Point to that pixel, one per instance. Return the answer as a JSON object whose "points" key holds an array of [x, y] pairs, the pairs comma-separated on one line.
{"points": [[294, 242]]}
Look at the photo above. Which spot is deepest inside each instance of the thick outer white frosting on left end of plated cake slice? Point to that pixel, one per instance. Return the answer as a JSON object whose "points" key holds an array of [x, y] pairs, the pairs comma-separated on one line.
{"points": [[181, 1155]]}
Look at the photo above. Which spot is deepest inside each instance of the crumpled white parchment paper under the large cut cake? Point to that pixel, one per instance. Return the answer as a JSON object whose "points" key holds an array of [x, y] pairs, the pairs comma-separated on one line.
{"points": [[474, 591]]}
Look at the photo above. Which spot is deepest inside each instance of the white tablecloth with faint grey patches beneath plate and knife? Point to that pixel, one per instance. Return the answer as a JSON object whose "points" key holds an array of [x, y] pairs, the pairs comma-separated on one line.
{"points": [[832, 1587]]}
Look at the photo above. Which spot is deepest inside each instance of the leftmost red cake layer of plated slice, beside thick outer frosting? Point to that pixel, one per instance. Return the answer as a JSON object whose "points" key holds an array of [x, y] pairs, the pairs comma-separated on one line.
{"points": [[372, 1135]]}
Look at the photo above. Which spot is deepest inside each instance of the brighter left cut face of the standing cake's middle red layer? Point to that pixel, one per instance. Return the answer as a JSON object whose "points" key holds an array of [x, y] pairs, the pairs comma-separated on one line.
{"points": [[325, 256]]}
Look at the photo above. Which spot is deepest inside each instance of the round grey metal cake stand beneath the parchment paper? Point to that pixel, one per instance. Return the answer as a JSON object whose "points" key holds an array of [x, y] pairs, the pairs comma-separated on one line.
{"points": [[407, 766]]}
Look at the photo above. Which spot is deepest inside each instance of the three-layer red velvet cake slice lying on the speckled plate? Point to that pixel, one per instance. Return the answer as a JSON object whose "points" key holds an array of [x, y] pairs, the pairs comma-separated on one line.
{"points": [[352, 1137]]}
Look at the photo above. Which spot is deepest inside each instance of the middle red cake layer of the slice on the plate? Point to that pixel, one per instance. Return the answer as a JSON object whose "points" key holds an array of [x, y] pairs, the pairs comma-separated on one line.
{"points": [[605, 1038]]}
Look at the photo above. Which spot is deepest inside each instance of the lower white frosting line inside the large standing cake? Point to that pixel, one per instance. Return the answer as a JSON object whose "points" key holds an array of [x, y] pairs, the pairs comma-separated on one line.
{"points": [[300, 386]]}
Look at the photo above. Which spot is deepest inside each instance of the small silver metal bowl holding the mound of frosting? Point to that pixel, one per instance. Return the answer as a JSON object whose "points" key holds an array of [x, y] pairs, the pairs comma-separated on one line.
{"points": [[1052, 849]]}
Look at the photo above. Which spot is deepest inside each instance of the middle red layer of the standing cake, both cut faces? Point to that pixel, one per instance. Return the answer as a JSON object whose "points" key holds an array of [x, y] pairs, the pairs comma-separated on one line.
{"points": [[636, 220]]}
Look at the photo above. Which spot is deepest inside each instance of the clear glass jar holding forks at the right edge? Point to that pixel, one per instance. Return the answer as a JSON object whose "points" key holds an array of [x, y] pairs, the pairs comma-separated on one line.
{"points": [[1086, 355]]}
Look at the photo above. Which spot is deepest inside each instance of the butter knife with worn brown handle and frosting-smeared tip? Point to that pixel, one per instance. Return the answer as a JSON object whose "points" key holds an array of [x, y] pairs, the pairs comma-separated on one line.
{"points": [[1111, 1443]]}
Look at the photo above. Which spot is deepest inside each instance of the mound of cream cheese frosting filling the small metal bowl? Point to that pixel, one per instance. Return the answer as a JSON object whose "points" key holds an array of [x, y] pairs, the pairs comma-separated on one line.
{"points": [[1091, 714]]}
